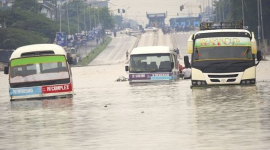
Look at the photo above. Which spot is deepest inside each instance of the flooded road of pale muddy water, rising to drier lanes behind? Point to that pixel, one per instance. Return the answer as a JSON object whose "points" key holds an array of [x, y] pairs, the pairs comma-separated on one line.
{"points": [[109, 115]]}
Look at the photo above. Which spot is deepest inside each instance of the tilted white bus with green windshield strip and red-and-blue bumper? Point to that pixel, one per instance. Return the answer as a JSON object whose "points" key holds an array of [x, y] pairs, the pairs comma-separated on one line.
{"points": [[39, 71]]}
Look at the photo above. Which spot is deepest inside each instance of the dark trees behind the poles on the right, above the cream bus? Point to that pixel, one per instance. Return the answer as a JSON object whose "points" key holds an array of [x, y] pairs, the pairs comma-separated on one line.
{"points": [[231, 11]]}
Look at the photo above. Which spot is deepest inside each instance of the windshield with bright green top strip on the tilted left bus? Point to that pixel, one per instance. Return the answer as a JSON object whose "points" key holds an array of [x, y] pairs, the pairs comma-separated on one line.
{"points": [[41, 68]]}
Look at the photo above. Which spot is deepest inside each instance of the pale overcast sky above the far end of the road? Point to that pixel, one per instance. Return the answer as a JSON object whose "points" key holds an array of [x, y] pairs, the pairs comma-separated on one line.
{"points": [[136, 9]]}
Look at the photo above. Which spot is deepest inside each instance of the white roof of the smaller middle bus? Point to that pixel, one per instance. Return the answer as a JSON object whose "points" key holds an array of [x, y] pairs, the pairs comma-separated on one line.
{"points": [[151, 50]]}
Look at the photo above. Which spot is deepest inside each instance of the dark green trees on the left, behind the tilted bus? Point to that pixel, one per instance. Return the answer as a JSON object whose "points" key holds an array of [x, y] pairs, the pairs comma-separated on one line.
{"points": [[26, 25]]}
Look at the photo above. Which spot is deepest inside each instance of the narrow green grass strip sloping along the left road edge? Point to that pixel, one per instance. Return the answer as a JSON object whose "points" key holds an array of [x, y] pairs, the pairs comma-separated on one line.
{"points": [[95, 52]]}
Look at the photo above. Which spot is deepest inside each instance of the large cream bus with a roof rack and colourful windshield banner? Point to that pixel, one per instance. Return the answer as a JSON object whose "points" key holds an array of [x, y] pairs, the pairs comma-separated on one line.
{"points": [[223, 54]]}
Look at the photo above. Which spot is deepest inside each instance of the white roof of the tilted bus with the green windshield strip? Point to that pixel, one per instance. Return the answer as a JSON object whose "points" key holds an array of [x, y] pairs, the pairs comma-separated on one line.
{"points": [[38, 48]]}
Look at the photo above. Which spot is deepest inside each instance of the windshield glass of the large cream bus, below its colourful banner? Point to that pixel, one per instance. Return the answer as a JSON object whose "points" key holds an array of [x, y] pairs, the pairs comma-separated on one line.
{"points": [[223, 53]]}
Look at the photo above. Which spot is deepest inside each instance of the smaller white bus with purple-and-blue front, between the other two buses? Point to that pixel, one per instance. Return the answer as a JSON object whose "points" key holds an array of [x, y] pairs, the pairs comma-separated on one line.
{"points": [[152, 63]]}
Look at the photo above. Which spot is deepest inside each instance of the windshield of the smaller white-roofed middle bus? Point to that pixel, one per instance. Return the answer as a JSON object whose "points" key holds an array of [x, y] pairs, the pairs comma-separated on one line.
{"points": [[150, 63]]}
